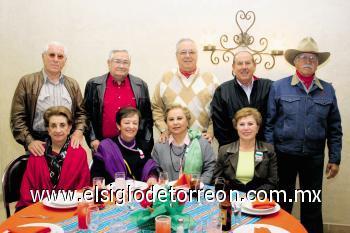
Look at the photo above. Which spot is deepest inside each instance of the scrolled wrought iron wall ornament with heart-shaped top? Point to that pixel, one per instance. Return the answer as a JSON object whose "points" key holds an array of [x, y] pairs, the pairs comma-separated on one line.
{"points": [[243, 41]]}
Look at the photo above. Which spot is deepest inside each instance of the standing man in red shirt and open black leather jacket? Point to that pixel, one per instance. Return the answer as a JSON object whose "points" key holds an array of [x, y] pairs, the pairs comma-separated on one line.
{"points": [[106, 94]]}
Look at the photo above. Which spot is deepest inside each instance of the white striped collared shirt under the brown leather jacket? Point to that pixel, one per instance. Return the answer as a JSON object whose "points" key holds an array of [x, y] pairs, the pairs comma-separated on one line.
{"points": [[51, 94]]}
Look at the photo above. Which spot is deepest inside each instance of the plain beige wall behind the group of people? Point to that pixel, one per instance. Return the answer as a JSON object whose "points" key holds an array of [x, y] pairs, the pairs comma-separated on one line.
{"points": [[150, 29]]}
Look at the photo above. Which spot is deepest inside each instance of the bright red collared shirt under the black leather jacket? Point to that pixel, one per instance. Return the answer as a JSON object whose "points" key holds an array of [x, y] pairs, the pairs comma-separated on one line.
{"points": [[116, 97]]}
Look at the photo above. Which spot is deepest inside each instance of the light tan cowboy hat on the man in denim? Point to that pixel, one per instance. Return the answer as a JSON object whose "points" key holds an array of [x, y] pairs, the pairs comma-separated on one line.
{"points": [[306, 45]]}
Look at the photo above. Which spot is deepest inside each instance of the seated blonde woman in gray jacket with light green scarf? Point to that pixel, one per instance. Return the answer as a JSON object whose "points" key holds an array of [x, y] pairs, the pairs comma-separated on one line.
{"points": [[185, 151]]}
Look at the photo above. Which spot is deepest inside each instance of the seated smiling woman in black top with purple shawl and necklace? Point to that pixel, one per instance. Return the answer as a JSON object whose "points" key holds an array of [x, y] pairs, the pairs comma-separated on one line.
{"points": [[122, 154]]}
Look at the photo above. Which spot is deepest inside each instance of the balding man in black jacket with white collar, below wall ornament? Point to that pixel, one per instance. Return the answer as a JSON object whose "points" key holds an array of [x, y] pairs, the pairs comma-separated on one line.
{"points": [[244, 90]]}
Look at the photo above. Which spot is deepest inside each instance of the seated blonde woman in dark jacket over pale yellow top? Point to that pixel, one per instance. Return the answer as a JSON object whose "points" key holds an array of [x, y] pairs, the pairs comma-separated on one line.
{"points": [[247, 164]]}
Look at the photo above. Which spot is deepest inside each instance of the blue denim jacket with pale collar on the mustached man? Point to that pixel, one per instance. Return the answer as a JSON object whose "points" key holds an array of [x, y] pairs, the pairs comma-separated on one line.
{"points": [[300, 122]]}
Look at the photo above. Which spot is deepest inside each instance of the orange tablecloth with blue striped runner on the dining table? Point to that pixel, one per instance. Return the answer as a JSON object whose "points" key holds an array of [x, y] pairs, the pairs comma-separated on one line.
{"points": [[201, 212]]}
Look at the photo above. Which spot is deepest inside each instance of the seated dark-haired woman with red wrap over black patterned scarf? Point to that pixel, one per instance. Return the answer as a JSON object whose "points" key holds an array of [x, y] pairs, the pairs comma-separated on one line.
{"points": [[61, 167]]}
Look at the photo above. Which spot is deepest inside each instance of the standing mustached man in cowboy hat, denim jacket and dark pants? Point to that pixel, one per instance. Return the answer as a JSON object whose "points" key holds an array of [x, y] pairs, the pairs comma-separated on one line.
{"points": [[302, 115]]}
